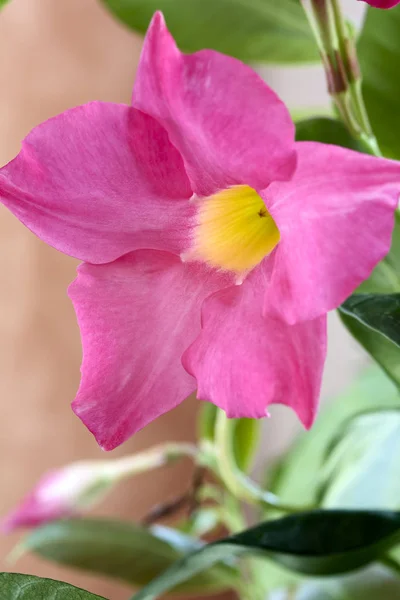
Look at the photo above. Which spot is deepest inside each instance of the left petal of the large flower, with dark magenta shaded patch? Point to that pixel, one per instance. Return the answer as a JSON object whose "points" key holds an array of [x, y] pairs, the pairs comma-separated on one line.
{"points": [[98, 181]]}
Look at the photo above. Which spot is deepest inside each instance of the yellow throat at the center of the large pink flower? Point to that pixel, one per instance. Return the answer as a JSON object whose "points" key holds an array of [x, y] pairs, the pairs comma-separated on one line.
{"points": [[234, 230]]}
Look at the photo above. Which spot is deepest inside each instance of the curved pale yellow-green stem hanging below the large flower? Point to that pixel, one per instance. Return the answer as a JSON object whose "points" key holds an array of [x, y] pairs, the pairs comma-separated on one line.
{"points": [[241, 486]]}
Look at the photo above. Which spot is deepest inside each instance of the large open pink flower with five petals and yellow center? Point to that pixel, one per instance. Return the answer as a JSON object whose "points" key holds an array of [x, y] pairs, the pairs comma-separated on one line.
{"points": [[197, 201]]}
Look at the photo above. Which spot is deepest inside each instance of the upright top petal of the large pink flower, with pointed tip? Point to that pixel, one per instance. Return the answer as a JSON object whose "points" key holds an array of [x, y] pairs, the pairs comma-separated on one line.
{"points": [[229, 126]]}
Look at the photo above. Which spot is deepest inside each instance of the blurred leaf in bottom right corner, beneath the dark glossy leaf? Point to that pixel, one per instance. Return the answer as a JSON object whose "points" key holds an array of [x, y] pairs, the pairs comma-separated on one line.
{"points": [[377, 583]]}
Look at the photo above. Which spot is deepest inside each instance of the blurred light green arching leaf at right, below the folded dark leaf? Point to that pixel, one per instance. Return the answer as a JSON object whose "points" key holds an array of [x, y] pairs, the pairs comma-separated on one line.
{"points": [[298, 478]]}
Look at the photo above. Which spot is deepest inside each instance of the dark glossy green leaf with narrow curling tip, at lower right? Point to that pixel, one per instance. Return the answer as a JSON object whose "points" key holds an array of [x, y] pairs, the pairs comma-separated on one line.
{"points": [[315, 543]]}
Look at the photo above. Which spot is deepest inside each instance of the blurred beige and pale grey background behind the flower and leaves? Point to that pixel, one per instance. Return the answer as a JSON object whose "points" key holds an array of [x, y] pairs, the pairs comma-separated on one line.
{"points": [[55, 55]]}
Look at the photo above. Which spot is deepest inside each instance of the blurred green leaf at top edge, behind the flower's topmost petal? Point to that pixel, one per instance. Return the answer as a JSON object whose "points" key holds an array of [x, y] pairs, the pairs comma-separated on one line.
{"points": [[251, 30]]}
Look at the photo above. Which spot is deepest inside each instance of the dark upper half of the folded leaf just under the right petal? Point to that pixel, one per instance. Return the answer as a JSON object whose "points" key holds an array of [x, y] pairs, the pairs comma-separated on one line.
{"points": [[380, 312]]}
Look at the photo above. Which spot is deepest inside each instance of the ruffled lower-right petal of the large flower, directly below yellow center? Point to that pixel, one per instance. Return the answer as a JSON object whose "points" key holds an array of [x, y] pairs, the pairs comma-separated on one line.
{"points": [[243, 362]]}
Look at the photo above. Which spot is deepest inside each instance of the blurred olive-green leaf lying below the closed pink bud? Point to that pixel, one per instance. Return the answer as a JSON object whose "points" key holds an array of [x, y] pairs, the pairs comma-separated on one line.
{"points": [[122, 551]]}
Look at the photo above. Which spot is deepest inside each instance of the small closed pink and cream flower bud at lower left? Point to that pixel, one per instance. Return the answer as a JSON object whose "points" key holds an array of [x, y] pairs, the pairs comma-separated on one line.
{"points": [[61, 493]]}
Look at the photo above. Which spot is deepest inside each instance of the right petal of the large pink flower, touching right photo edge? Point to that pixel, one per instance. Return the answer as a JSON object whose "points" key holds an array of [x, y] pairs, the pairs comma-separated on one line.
{"points": [[335, 218]]}
